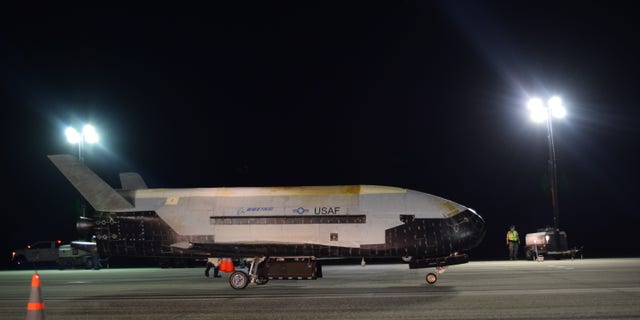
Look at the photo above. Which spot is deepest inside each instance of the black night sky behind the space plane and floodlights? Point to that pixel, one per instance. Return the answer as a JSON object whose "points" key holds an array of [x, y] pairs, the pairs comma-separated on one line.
{"points": [[425, 95]]}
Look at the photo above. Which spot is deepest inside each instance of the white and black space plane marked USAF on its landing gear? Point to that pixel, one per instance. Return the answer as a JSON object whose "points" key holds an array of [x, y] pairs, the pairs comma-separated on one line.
{"points": [[280, 232]]}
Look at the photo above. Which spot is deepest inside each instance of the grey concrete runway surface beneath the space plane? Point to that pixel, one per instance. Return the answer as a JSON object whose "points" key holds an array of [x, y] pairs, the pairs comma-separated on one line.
{"points": [[553, 289]]}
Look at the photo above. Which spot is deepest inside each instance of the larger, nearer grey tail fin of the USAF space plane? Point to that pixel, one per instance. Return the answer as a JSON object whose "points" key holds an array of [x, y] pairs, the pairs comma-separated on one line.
{"points": [[97, 192]]}
